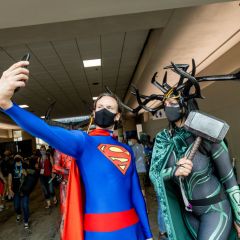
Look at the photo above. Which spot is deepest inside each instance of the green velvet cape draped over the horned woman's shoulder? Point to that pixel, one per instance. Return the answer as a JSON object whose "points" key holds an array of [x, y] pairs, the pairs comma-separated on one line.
{"points": [[170, 202]]}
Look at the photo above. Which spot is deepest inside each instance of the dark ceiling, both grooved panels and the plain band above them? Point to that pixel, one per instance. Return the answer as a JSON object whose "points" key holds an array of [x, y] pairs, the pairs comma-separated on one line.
{"points": [[57, 51]]}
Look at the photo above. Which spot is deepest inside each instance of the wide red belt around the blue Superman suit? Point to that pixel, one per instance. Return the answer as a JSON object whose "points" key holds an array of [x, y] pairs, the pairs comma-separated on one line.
{"points": [[108, 222]]}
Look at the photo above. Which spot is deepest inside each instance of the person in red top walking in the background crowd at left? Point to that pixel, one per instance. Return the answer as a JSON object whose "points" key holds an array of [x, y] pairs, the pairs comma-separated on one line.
{"points": [[45, 163]]}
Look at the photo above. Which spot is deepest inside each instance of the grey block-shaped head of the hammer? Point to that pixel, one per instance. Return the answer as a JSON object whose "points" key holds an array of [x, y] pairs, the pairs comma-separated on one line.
{"points": [[206, 126]]}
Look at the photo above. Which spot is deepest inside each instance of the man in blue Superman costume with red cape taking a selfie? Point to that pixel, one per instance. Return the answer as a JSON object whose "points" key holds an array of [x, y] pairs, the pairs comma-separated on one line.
{"points": [[114, 208]]}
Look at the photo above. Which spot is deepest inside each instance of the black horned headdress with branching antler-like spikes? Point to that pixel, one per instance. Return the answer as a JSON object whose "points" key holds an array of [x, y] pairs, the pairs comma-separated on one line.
{"points": [[187, 87]]}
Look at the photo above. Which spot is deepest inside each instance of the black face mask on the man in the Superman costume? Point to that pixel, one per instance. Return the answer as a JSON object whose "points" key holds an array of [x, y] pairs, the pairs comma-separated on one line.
{"points": [[104, 118]]}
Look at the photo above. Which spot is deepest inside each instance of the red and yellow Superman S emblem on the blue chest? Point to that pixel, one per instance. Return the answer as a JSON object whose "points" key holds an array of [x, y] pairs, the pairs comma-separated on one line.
{"points": [[118, 155]]}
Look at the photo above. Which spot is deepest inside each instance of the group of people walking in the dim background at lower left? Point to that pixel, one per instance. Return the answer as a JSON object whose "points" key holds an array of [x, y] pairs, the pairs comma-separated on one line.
{"points": [[19, 176]]}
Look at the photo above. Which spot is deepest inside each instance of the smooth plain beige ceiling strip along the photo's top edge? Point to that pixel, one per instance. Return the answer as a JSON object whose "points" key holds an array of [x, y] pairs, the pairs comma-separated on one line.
{"points": [[28, 12]]}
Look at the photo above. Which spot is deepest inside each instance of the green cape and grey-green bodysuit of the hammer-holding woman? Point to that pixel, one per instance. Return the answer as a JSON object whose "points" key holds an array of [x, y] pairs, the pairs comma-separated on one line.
{"points": [[179, 226]]}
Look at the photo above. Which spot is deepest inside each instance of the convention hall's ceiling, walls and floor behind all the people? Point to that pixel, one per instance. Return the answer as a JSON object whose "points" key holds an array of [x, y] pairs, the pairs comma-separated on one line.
{"points": [[130, 41]]}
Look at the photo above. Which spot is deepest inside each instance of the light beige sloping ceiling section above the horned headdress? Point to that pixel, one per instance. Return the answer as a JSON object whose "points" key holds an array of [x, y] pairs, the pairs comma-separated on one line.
{"points": [[204, 33]]}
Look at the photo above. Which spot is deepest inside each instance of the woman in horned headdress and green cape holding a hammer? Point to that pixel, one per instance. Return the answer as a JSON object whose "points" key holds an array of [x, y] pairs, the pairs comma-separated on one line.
{"points": [[204, 184]]}
